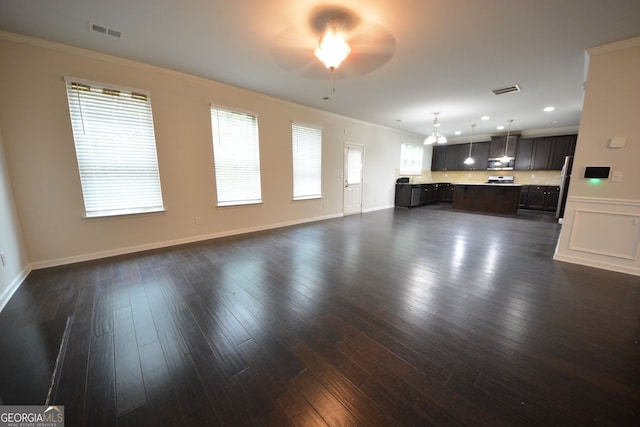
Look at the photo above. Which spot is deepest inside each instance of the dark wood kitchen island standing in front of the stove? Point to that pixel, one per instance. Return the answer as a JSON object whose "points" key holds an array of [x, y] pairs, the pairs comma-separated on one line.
{"points": [[490, 198]]}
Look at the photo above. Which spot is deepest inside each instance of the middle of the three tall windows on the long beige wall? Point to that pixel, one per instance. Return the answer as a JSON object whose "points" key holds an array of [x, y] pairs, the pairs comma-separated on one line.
{"points": [[236, 157]]}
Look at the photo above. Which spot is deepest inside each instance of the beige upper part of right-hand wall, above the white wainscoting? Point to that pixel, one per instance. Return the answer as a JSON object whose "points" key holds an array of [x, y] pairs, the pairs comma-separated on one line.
{"points": [[611, 109]]}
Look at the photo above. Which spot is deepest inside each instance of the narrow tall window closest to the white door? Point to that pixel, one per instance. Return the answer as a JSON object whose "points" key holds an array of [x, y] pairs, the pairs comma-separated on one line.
{"points": [[307, 161]]}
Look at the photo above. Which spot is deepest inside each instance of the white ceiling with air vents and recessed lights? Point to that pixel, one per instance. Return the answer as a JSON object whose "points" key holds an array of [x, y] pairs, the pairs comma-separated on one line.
{"points": [[410, 58]]}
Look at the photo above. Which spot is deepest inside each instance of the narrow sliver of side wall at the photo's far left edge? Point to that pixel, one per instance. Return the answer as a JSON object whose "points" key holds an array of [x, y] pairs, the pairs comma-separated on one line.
{"points": [[16, 266]]}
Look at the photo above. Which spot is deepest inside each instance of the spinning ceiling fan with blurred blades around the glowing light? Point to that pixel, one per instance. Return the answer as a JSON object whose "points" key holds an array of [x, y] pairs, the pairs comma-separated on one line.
{"points": [[371, 44]]}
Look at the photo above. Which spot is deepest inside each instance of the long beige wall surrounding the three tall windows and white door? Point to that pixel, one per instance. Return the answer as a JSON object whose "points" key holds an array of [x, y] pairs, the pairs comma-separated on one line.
{"points": [[40, 154]]}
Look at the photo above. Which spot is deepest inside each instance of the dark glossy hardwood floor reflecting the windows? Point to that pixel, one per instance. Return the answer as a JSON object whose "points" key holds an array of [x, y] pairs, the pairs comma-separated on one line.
{"points": [[405, 317]]}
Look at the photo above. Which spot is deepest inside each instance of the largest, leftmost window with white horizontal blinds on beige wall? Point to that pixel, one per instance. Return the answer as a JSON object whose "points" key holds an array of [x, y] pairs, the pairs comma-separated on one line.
{"points": [[115, 149]]}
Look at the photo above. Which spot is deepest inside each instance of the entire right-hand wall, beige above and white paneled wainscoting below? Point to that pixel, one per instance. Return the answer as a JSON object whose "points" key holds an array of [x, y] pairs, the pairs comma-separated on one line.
{"points": [[602, 220]]}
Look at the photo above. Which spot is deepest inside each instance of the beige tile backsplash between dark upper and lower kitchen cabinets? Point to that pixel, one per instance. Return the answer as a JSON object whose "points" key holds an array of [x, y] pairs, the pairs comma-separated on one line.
{"points": [[537, 177]]}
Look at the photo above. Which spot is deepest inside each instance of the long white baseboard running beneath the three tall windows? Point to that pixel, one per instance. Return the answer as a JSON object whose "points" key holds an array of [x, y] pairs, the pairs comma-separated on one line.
{"points": [[168, 243]]}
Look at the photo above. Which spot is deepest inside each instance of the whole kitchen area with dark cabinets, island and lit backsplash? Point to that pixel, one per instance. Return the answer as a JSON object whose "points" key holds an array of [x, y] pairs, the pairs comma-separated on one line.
{"points": [[508, 173]]}
